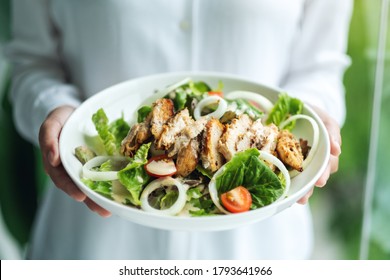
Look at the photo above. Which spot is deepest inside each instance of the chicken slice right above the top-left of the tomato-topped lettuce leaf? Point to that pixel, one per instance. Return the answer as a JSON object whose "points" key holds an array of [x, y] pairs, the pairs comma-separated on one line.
{"points": [[233, 134]]}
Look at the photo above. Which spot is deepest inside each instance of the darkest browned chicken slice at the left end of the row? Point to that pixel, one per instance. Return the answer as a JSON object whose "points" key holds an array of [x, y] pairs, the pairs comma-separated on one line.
{"points": [[138, 134]]}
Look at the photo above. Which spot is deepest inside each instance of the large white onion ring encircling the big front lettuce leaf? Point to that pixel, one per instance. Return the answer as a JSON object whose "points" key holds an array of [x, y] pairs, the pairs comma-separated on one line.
{"points": [[264, 156]]}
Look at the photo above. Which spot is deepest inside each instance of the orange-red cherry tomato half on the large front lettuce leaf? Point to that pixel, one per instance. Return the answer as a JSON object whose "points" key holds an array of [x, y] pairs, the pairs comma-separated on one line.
{"points": [[237, 200]]}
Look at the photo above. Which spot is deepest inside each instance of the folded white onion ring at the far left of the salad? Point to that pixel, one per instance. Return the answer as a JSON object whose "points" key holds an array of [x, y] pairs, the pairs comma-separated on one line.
{"points": [[101, 175]]}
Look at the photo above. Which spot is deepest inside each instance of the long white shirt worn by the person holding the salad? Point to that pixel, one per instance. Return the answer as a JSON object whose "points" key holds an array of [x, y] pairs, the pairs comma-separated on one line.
{"points": [[65, 51]]}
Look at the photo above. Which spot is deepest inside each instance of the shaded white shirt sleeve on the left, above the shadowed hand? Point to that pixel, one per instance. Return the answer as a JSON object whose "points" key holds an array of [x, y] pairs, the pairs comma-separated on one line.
{"points": [[39, 79]]}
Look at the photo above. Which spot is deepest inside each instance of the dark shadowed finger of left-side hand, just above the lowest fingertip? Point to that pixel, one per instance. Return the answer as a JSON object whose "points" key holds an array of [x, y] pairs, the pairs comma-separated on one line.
{"points": [[62, 180]]}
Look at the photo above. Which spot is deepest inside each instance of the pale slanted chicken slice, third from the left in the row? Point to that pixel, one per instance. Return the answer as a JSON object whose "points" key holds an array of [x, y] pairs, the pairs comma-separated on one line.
{"points": [[172, 129]]}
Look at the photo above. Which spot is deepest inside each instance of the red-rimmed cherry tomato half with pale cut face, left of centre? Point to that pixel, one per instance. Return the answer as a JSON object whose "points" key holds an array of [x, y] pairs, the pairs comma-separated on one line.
{"points": [[160, 166]]}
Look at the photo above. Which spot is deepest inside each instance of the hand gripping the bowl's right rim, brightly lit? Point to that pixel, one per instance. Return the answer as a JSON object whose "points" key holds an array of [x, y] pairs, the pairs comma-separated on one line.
{"points": [[335, 151]]}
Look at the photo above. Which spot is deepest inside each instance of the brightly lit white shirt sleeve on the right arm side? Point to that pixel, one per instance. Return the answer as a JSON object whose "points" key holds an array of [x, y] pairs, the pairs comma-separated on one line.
{"points": [[319, 59]]}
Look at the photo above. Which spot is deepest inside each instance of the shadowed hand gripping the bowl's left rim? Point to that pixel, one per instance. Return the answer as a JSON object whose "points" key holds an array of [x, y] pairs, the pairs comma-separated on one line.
{"points": [[49, 134]]}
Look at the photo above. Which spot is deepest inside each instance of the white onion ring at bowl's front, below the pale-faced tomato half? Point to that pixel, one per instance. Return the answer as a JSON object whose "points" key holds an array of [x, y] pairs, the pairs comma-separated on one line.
{"points": [[160, 183]]}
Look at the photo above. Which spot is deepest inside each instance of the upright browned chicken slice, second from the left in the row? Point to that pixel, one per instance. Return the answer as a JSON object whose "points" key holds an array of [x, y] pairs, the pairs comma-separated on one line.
{"points": [[162, 111]]}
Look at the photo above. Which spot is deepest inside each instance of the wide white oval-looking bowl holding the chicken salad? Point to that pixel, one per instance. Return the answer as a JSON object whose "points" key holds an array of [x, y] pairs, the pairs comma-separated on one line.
{"points": [[126, 98]]}
